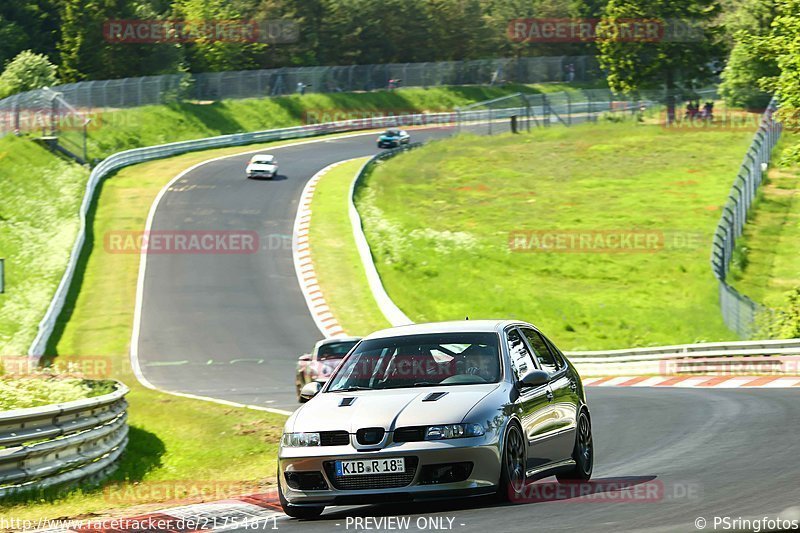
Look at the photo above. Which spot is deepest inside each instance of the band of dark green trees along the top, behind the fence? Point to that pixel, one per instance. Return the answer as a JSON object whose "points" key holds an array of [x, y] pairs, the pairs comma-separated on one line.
{"points": [[341, 32]]}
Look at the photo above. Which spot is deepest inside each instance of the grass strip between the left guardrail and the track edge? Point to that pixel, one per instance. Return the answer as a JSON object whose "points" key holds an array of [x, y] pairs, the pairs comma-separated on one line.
{"points": [[173, 440]]}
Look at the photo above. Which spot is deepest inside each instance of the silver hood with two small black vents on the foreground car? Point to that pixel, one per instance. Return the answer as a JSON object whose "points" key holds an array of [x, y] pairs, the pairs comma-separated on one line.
{"points": [[387, 408]]}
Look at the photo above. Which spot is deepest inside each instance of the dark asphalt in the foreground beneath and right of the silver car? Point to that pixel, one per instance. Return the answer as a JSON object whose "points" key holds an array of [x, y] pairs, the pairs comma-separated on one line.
{"points": [[692, 453]]}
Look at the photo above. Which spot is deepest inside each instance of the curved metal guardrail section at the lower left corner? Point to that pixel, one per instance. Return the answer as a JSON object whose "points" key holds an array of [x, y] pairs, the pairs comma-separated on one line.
{"points": [[45, 446]]}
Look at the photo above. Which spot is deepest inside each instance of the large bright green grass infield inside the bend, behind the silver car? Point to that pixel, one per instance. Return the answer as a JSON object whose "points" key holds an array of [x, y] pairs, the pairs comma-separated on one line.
{"points": [[439, 220]]}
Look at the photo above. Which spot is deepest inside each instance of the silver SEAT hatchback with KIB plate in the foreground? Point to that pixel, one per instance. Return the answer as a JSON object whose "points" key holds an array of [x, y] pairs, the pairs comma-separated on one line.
{"points": [[429, 411]]}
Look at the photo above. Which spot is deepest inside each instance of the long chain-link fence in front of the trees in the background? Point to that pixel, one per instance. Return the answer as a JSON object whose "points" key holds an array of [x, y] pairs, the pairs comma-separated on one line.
{"points": [[43, 110]]}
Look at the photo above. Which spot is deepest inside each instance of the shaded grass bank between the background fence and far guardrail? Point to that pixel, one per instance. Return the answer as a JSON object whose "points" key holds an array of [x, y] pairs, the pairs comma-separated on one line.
{"points": [[143, 126]]}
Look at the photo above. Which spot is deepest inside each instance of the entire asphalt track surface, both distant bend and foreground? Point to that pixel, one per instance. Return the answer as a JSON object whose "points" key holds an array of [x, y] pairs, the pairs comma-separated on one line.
{"points": [[230, 326]]}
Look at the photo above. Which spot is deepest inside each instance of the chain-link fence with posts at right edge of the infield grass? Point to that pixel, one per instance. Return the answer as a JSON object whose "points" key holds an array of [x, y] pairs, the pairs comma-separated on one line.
{"points": [[739, 311]]}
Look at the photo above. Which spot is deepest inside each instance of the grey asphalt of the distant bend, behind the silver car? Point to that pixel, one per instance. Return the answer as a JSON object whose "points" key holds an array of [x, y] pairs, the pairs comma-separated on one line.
{"points": [[231, 326]]}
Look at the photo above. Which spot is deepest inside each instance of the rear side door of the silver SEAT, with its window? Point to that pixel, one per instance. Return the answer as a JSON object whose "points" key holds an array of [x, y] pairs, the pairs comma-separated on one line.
{"points": [[561, 431]]}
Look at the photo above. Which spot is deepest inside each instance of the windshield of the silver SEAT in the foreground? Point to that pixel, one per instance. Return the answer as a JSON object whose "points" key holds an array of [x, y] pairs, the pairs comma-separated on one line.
{"points": [[420, 361]]}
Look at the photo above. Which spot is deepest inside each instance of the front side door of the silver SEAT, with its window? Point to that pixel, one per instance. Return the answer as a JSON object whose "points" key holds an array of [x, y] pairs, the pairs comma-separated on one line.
{"points": [[533, 403]]}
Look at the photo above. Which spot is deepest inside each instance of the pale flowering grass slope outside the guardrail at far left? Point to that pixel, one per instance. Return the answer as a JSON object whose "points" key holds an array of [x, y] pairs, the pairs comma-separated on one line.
{"points": [[39, 220]]}
